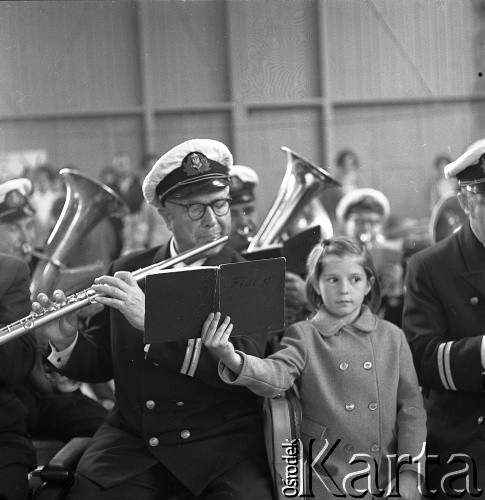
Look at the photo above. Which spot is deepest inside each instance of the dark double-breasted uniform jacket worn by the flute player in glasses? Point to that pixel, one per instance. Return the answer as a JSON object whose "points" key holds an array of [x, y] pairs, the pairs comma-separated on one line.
{"points": [[196, 426]]}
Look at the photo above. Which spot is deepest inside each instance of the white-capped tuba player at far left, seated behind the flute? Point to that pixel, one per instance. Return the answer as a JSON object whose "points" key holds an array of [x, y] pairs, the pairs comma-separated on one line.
{"points": [[56, 408]]}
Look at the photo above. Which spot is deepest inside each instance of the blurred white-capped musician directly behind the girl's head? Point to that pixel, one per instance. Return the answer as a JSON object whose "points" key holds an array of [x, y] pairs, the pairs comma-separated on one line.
{"points": [[362, 214]]}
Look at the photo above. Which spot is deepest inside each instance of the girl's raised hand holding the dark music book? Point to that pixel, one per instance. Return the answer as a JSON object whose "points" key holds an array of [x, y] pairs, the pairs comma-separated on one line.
{"points": [[216, 339]]}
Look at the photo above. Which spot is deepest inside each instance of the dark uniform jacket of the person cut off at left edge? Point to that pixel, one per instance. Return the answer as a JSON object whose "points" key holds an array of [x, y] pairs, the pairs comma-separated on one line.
{"points": [[17, 358]]}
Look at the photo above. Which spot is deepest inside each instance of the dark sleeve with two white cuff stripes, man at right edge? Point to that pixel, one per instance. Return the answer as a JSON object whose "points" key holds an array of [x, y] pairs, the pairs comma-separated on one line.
{"points": [[443, 320]]}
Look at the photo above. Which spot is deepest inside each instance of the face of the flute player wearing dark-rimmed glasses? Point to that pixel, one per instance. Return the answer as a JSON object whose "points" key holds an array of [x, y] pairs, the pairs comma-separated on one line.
{"points": [[190, 233]]}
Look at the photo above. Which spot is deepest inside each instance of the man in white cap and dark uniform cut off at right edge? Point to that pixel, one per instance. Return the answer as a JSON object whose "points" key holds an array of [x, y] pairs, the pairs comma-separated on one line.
{"points": [[444, 318]]}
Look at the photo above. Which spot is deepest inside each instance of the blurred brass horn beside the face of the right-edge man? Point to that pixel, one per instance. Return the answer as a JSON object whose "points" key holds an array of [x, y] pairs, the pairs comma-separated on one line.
{"points": [[446, 218]]}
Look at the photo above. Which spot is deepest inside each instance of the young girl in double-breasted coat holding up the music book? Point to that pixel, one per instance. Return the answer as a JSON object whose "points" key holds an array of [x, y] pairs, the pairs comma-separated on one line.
{"points": [[354, 373]]}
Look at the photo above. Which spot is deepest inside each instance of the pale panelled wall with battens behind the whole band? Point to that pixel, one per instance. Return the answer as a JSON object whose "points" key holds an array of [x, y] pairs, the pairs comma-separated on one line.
{"points": [[397, 81]]}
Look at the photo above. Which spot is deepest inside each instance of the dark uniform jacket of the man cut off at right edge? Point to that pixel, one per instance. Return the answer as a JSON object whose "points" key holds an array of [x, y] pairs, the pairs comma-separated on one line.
{"points": [[444, 320]]}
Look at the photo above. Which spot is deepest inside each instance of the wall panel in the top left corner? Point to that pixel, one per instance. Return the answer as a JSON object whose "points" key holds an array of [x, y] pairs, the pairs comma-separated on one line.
{"points": [[67, 56]]}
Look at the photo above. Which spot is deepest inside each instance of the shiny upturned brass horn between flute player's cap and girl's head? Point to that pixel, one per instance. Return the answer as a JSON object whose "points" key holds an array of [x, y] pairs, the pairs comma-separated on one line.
{"points": [[302, 182]]}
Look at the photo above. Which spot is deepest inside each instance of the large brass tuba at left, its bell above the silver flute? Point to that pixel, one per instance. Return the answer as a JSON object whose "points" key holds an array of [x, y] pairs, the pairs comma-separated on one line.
{"points": [[88, 201]]}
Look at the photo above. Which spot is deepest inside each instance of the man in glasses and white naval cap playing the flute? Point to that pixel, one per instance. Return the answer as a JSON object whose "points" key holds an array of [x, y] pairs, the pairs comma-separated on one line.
{"points": [[176, 428]]}
